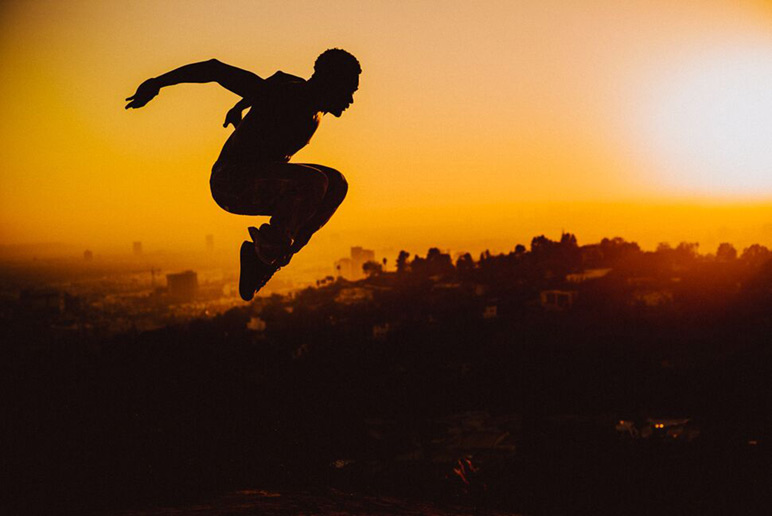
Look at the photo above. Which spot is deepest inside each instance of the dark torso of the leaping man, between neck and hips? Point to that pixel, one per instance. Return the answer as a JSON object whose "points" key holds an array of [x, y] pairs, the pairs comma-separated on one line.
{"points": [[281, 121]]}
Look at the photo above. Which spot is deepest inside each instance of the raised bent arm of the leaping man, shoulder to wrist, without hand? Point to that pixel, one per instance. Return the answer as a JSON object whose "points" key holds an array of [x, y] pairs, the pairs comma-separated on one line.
{"points": [[241, 82]]}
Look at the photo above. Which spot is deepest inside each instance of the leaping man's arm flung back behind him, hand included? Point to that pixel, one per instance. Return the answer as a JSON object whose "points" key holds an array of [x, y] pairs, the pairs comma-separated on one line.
{"points": [[241, 82]]}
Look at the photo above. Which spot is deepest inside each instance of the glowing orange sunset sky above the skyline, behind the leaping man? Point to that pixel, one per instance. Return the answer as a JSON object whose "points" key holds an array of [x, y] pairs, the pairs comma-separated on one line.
{"points": [[477, 124]]}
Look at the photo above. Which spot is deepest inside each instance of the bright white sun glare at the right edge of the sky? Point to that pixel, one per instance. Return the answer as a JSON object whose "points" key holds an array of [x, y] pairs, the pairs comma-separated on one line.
{"points": [[710, 125]]}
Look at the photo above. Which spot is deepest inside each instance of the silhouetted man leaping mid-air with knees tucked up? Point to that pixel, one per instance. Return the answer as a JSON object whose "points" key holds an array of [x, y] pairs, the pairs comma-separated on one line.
{"points": [[252, 175]]}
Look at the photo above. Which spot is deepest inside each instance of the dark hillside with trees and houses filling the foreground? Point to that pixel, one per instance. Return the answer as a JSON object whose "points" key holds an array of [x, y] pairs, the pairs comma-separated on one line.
{"points": [[561, 380]]}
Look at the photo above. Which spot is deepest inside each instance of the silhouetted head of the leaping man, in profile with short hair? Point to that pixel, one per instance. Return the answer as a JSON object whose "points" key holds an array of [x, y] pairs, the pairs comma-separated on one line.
{"points": [[336, 76]]}
